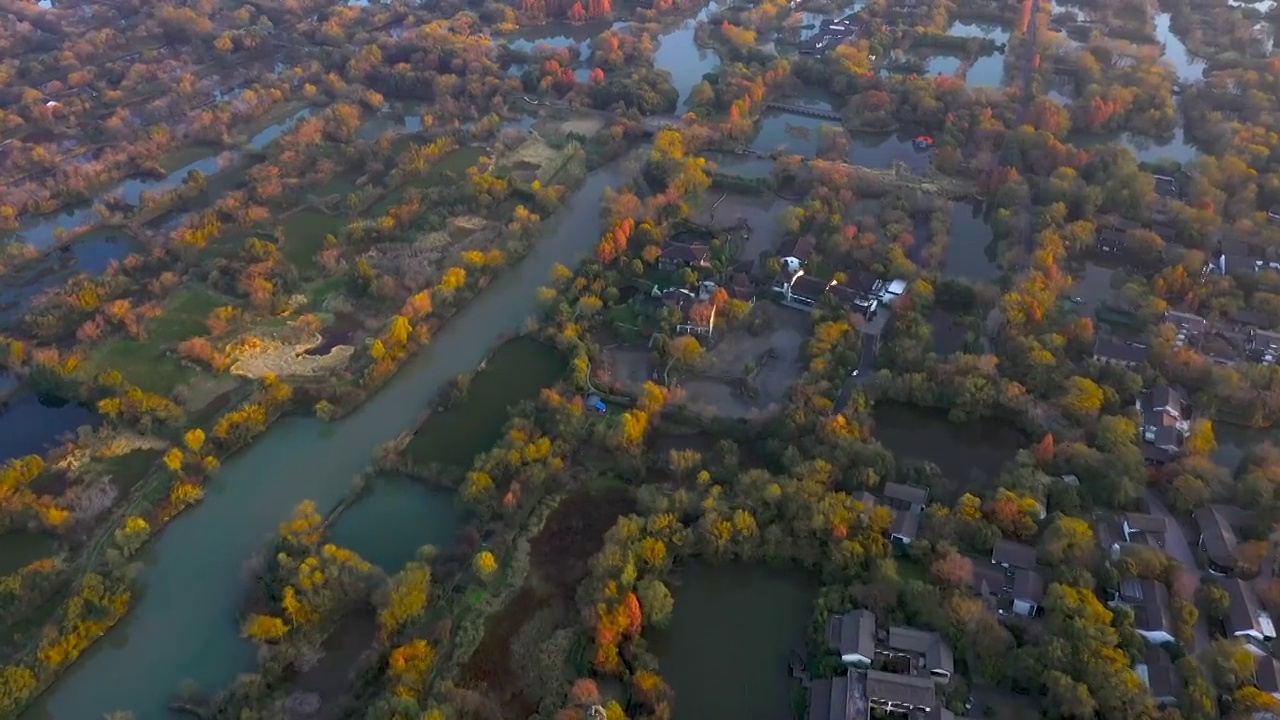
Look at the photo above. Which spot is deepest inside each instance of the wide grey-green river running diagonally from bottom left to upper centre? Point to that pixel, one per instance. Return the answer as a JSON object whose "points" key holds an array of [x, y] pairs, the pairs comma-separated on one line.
{"points": [[184, 623]]}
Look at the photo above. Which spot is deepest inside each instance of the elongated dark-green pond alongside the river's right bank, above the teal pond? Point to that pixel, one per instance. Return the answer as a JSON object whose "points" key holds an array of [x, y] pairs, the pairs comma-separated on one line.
{"points": [[516, 372]]}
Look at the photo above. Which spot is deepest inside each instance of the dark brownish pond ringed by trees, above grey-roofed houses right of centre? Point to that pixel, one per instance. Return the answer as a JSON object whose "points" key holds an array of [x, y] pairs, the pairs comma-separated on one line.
{"points": [[970, 454]]}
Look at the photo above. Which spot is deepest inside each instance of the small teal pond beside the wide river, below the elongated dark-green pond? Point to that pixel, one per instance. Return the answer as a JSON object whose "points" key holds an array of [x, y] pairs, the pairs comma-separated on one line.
{"points": [[395, 518]]}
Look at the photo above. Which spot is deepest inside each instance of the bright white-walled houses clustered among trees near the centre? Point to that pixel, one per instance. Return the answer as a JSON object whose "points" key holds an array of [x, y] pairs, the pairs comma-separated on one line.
{"points": [[803, 290]]}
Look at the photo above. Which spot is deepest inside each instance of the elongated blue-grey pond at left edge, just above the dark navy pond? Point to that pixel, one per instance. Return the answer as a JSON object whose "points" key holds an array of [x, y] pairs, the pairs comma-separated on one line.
{"points": [[90, 254]]}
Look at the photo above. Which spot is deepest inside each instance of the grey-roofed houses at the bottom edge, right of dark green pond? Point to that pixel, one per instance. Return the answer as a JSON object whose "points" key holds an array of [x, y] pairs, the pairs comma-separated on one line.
{"points": [[902, 671]]}
